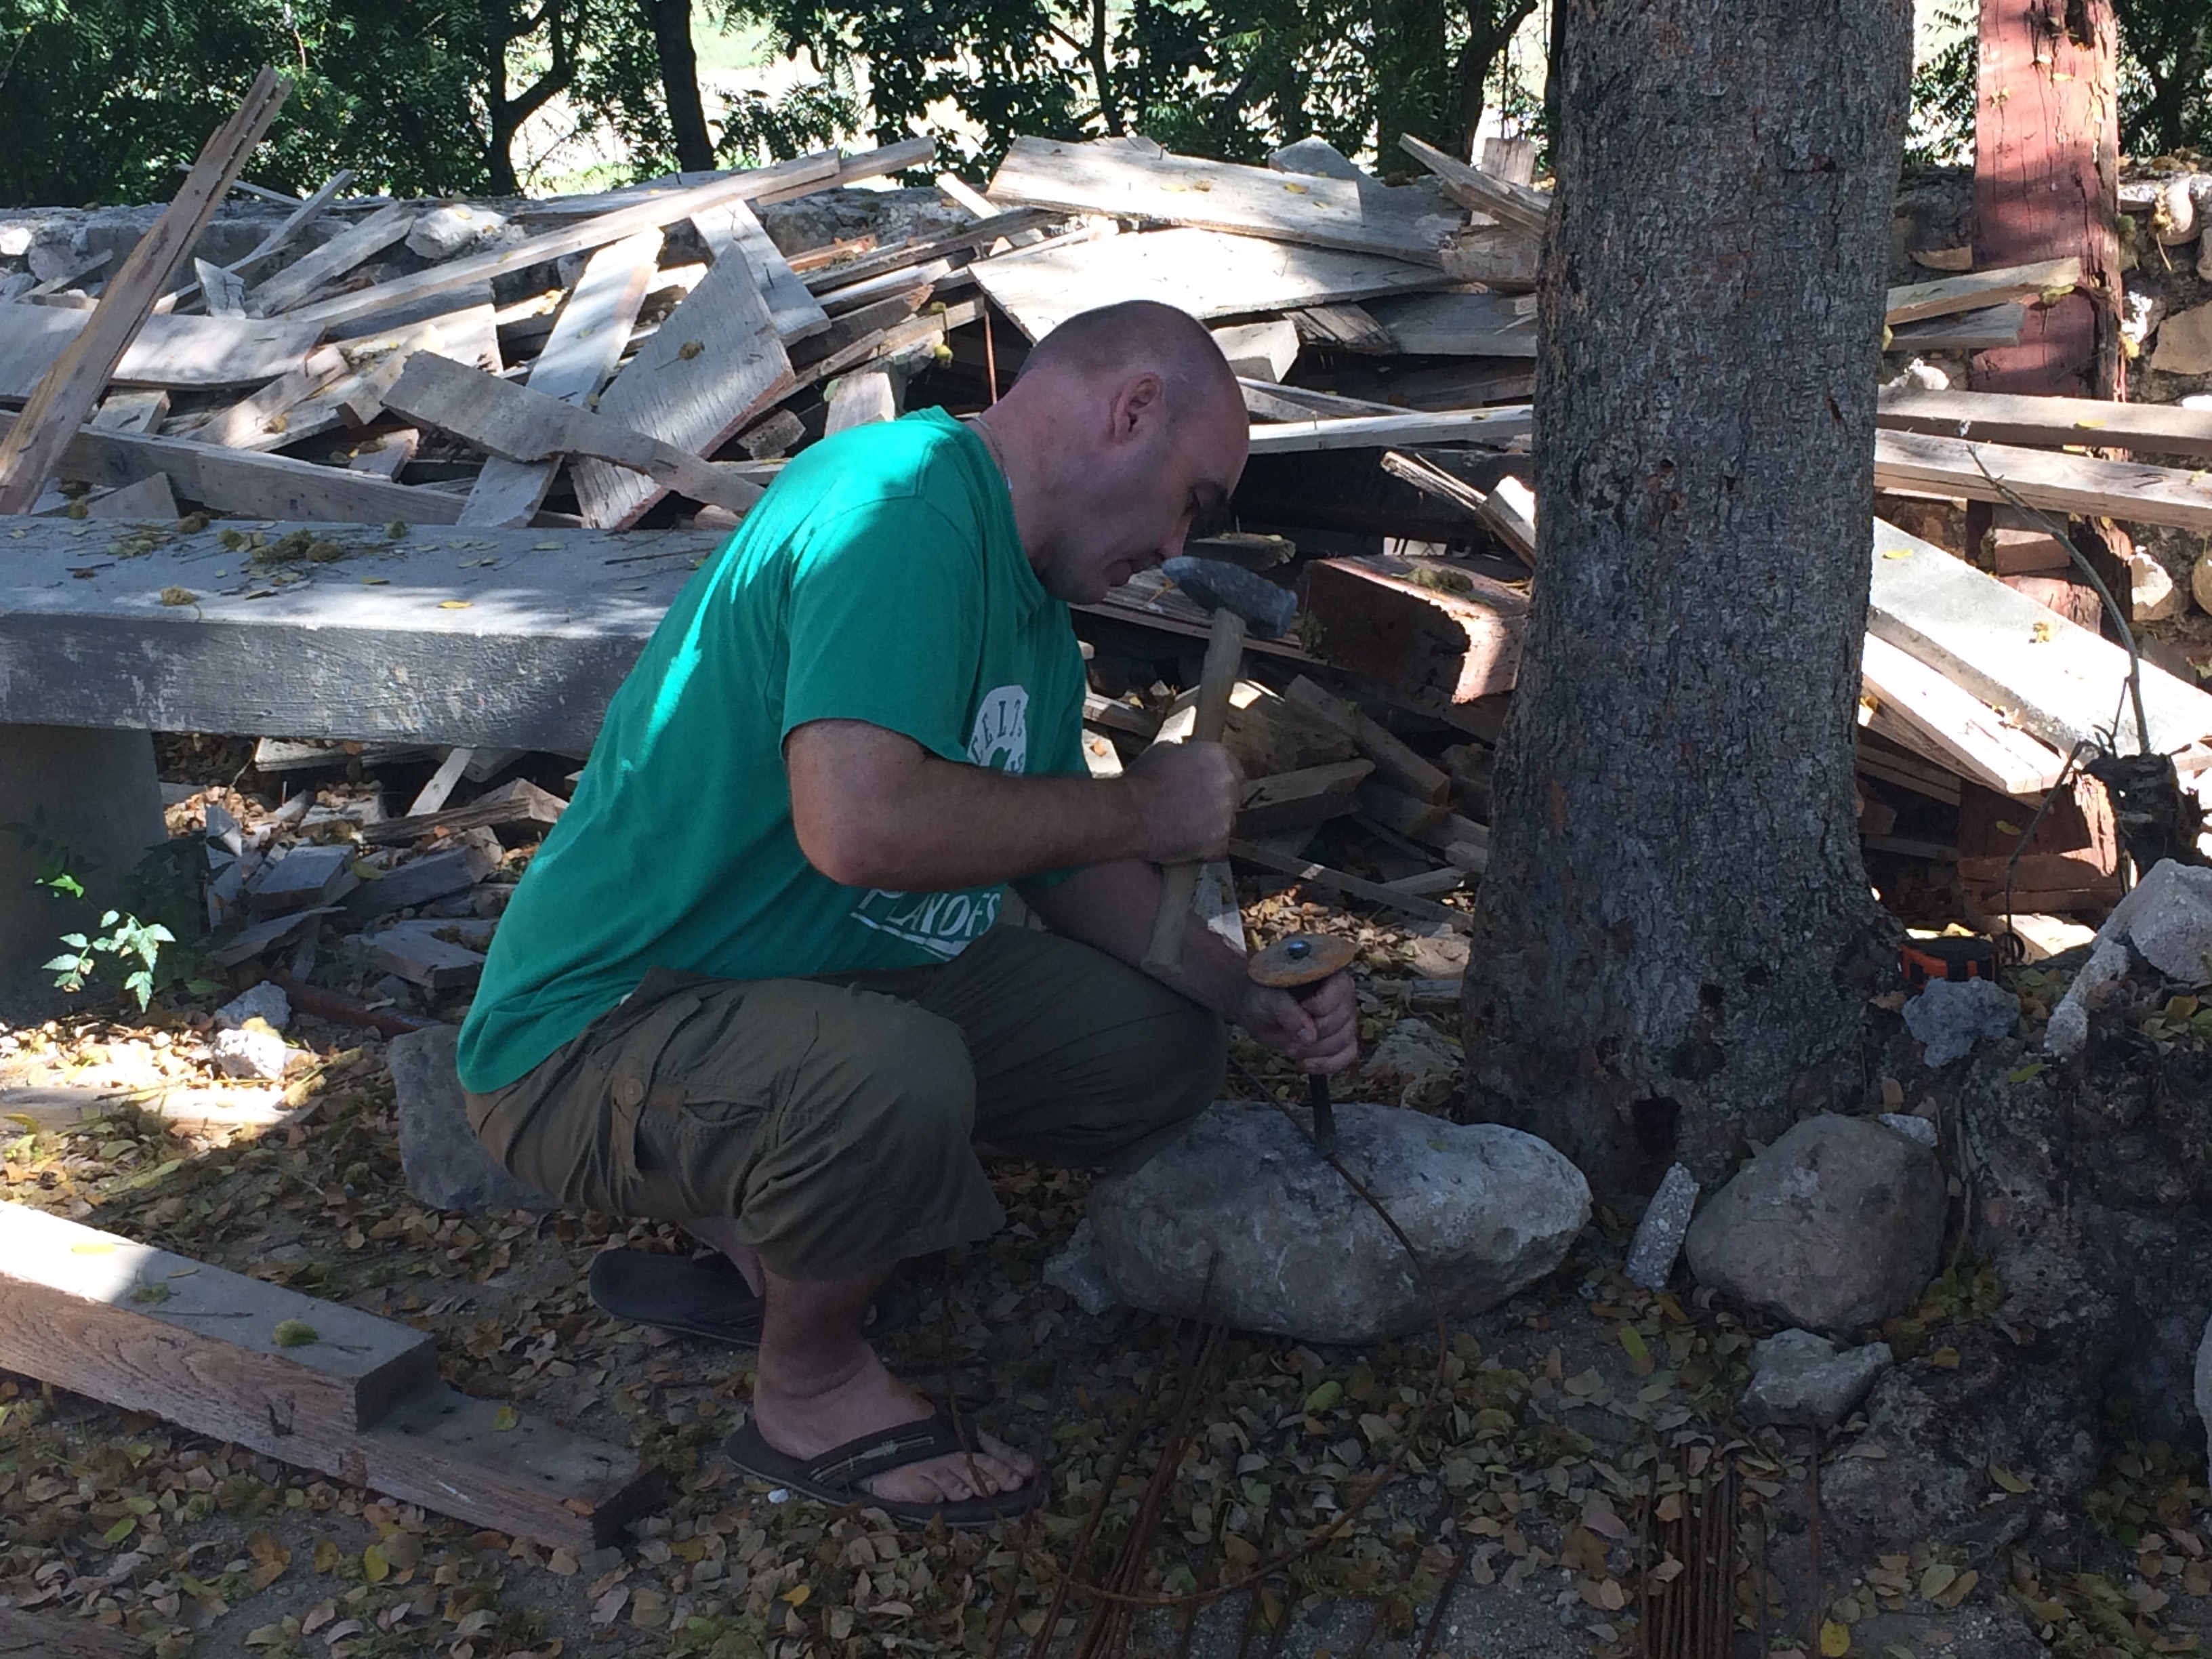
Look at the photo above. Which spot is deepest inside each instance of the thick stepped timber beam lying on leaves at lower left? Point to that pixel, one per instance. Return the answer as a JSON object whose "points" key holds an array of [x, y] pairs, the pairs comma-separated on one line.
{"points": [[313, 1384]]}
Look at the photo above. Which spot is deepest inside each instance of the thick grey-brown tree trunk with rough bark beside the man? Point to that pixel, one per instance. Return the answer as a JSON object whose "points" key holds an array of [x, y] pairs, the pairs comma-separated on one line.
{"points": [[1676, 941]]}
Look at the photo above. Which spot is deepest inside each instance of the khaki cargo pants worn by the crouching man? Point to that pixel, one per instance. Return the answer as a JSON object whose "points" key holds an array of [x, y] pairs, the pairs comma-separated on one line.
{"points": [[835, 1118]]}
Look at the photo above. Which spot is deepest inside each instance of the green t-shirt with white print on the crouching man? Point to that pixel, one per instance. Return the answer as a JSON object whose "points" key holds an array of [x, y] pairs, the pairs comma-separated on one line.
{"points": [[879, 581]]}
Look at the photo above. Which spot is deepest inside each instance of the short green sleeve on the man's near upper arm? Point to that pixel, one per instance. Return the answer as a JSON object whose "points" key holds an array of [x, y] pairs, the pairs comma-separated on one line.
{"points": [[886, 625]]}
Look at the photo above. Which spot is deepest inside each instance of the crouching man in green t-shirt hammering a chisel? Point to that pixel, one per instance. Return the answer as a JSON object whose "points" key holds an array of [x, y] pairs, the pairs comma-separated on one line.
{"points": [[751, 981]]}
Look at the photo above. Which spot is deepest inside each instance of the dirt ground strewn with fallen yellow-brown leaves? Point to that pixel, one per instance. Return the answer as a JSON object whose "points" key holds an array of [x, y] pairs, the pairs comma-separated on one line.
{"points": [[1333, 1494]]}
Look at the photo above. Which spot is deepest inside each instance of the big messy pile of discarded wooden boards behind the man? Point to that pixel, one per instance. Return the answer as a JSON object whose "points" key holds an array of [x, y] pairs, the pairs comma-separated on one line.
{"points": [[647, 359]]}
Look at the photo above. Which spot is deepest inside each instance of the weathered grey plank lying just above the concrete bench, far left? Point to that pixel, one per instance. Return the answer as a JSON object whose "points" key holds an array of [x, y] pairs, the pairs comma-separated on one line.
{"points": [[233, 481]]}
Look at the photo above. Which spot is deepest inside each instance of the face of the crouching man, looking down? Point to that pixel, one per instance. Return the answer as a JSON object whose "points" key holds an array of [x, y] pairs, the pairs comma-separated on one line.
{"points": [[1158, 486]]}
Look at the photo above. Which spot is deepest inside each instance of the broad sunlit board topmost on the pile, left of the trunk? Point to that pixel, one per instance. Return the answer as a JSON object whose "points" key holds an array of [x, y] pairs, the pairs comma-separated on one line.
{"points": [[1138, 180]]}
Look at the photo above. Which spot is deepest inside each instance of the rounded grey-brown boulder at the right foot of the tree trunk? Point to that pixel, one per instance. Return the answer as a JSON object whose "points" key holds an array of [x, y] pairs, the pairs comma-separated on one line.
{"points": [[1835, 1227]]}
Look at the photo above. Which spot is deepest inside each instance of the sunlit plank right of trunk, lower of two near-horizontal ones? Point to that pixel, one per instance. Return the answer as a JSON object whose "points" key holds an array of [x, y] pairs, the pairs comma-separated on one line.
{"points": [[2125, 490]]}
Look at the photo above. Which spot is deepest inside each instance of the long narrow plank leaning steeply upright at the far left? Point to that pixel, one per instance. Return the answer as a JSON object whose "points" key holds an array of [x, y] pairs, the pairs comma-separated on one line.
{"points": [[76, 379]]}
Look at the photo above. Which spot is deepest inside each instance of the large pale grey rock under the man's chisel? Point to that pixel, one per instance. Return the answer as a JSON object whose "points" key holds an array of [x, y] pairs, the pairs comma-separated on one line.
{"points": [[1244, 1222]]}
